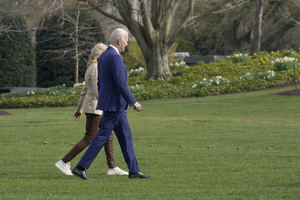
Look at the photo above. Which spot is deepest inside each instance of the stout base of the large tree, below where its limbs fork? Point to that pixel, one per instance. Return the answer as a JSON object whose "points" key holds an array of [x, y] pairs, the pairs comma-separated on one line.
{"points": [[157, 64]]}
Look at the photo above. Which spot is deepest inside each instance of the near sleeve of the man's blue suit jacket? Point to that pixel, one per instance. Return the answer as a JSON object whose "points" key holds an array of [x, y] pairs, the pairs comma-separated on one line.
{"points": [[120, 79]]}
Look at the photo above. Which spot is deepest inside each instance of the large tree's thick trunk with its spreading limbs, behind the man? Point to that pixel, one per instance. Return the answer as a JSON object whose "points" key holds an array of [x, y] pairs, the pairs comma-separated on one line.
{"points": [[153, 26]]}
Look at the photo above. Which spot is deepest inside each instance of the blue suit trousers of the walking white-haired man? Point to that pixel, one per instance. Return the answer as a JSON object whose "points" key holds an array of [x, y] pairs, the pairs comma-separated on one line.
{"points": [[117, 122]]}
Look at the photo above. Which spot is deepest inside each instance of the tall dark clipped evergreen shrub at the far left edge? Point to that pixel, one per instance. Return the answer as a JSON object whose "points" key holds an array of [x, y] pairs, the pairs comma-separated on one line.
{"points": [[17, 62]]}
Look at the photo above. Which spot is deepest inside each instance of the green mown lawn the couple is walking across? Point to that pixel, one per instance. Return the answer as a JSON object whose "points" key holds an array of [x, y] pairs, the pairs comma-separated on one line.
{"points": [[189, 145]]}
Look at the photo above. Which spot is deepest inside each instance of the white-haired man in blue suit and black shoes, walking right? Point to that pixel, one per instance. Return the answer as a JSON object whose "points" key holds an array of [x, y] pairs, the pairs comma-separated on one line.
{"points": [[114, 98]]}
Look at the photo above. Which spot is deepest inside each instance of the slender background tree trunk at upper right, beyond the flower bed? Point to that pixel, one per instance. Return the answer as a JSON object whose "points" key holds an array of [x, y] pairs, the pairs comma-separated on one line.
{"points": [[256, 32]]}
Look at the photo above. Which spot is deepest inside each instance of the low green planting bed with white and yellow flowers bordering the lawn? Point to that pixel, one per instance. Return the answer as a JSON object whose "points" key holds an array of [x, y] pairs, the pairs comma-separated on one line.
{"points": [[256, 72]]}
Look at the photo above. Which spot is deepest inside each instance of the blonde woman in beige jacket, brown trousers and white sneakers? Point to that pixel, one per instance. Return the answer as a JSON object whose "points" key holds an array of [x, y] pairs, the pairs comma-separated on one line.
{"points": [[87, 103]]}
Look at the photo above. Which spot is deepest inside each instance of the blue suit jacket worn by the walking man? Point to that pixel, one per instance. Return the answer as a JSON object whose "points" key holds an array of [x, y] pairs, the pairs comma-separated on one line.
{"points": [[114, 94]]}
